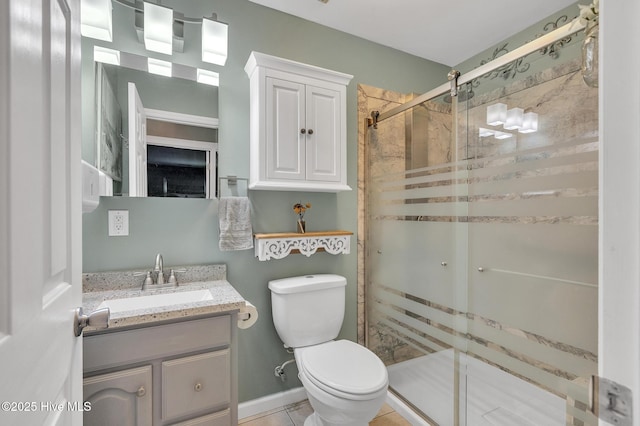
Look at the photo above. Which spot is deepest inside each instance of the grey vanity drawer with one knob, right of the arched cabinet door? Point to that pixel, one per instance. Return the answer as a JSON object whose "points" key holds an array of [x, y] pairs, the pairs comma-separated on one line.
{"points": [[195, 383]]}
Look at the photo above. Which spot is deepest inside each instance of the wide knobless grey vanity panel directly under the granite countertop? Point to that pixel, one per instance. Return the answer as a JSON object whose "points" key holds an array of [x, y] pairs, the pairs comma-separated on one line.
{"points": [[102, 351]]}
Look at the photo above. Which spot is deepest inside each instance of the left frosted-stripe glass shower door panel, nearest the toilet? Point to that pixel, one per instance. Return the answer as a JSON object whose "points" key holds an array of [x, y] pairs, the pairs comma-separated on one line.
{"points": [[414, 307]]}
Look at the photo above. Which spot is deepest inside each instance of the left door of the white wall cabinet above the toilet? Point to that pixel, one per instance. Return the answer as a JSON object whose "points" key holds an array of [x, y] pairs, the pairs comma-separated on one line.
{"points": [[286, 131]]}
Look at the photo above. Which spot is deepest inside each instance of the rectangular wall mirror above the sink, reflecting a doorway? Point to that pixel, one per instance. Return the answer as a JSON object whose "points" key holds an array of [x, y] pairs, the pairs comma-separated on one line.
{"points": [[179, 144]]}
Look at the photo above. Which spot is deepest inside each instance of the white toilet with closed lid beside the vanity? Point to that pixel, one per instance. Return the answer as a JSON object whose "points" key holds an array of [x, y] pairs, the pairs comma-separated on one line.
{"points": [[346, 383]]}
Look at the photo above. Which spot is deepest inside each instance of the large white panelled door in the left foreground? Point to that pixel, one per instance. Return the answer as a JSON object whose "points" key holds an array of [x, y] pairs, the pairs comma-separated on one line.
{"points": [[40, 212]]}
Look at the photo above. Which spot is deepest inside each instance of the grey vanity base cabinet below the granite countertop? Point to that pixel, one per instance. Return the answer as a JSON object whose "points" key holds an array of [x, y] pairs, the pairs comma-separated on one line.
{"points": [[171, 374]]}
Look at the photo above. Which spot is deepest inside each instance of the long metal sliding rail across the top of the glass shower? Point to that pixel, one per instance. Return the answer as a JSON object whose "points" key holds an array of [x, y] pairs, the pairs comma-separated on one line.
{"points": [[537, 44]]}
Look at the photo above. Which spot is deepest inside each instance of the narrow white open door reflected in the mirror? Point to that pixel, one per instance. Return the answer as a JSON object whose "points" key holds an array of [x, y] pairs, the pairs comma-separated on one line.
{"points": [[137, 144]]}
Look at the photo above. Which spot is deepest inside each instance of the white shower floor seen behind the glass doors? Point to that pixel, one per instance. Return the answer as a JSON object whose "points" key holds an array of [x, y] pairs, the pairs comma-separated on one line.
{"points": [[494, 397]]}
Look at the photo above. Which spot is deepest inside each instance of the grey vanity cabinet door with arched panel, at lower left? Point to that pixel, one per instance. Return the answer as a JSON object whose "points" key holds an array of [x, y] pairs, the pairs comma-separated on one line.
{"points": [[121, 398]]}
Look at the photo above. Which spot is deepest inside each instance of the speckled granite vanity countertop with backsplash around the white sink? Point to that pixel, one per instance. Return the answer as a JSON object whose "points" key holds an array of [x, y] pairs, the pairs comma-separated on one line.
{"points": [[98, 287]]}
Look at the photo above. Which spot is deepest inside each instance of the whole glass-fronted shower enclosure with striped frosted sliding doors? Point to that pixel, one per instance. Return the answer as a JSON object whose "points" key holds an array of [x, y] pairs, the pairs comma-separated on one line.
{"points": [[481, 254]]}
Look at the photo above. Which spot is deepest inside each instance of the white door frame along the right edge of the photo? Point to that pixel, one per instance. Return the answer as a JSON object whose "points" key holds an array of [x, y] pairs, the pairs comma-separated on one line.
{"points": [[619, 297]]}
